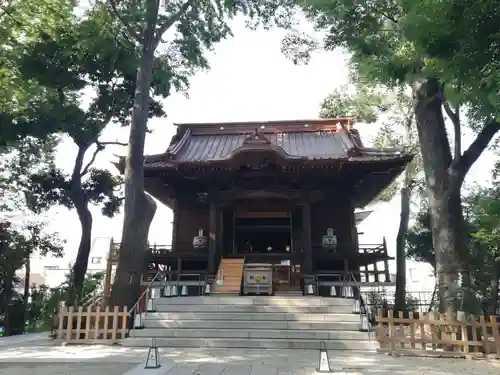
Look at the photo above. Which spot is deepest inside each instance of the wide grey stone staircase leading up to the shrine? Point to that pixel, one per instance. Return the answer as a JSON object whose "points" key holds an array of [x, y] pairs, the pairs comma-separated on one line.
{"points": [[253, 322]]}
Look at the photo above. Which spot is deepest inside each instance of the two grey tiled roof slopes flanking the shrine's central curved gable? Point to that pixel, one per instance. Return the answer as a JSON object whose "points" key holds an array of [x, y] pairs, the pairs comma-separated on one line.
{"points": [[310, 145]]}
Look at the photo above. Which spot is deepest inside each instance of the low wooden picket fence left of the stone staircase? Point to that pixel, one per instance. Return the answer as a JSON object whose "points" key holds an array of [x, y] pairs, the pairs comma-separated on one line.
{"points": [[94, 323]]}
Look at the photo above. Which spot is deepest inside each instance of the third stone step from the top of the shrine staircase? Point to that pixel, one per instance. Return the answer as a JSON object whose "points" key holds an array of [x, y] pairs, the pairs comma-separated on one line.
{"points": [[252, 316]]}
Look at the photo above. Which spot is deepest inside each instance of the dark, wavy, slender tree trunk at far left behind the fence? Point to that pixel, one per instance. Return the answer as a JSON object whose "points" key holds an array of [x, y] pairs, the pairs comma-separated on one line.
{"points": [[80, 201]]}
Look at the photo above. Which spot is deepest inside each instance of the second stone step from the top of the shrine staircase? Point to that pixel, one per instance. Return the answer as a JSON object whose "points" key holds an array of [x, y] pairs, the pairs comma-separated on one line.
{"points": [[163, 306]]}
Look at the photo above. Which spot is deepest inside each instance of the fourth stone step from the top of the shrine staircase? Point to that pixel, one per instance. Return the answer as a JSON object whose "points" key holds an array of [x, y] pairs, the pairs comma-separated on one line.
{"points": [[255, 324]]}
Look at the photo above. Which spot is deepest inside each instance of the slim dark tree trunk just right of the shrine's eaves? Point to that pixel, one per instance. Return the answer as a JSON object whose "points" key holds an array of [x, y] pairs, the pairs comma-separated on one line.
{"points": [[400, 297]]}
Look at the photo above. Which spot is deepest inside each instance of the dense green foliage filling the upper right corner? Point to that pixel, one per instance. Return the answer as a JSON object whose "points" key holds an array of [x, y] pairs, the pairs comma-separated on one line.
{"points": [[397, 42]]}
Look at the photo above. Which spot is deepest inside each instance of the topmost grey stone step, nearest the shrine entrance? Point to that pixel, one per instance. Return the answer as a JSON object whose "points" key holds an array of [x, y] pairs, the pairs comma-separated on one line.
{"points": [[257, 300]]}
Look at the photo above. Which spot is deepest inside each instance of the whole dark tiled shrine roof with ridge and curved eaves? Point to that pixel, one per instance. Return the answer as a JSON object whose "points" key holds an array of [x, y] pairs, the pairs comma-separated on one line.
{"points": [[206, 144]]}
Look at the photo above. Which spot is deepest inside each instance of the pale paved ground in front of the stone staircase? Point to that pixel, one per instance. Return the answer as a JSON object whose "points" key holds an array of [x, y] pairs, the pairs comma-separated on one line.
{"points": [[40, 358]]}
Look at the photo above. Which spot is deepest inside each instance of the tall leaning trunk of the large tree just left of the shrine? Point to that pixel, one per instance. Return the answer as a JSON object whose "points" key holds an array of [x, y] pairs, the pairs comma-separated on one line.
{"points": [[139, 208]]}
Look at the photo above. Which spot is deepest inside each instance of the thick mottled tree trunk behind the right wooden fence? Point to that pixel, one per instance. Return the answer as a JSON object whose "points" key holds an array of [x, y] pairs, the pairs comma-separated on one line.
{"points": [[442, 200]]}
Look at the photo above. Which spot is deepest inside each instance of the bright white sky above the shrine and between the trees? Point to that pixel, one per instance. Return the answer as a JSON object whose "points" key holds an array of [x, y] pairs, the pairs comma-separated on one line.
{"points": [[249, 80]]}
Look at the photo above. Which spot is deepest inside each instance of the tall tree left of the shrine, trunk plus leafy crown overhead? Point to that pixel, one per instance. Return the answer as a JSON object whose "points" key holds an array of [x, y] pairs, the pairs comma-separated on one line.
{"points": [[186, 29]]}
